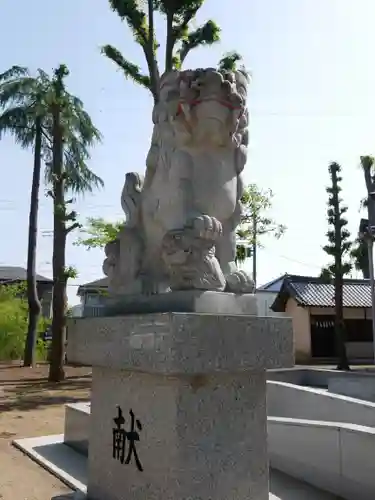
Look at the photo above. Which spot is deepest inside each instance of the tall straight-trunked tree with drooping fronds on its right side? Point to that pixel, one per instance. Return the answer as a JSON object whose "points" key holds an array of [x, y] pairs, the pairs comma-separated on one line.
{"points": [[72, 133]]}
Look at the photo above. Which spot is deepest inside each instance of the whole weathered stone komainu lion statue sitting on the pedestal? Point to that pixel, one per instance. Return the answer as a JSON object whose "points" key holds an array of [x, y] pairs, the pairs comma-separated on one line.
{"points": [[181, 221]]}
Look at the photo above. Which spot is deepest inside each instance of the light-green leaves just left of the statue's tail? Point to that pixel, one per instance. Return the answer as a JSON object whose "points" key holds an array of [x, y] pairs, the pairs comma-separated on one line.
{"points": [[98, 233]]}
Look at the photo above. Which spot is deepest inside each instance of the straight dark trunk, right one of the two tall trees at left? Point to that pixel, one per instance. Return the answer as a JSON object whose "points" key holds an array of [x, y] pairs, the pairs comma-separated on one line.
{"points": [[56, 371]]}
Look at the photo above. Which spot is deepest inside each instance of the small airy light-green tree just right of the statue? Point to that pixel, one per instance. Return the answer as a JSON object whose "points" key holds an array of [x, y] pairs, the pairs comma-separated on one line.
{"points": [[254, 221]]}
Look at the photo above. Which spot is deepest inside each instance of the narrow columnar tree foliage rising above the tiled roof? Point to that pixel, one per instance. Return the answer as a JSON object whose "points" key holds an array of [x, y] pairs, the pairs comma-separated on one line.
{"points": [[339, 245]]}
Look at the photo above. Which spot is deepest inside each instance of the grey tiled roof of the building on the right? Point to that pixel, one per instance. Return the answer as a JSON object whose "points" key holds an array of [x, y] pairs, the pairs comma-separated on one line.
{"points": [[313, 292]]}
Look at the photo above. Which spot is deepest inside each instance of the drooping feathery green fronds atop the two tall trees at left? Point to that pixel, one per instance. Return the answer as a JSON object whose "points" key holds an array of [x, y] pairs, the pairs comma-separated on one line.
{"points": [[23, 98]]}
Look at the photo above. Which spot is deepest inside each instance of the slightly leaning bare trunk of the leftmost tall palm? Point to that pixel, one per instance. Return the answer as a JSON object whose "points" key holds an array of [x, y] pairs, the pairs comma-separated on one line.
{"points": [[32, 291]]}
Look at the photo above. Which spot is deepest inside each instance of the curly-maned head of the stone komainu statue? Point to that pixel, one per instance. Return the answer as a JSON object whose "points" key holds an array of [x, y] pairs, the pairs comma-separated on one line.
{"points": [[206, 108]]}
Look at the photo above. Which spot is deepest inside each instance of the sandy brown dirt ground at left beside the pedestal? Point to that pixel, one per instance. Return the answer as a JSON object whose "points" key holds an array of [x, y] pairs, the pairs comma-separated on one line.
{"points": [[31, 407]]}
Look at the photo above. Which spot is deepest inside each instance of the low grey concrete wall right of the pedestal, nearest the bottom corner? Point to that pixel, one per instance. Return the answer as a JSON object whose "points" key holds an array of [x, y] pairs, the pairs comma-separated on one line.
{"points": [[336, 457]]}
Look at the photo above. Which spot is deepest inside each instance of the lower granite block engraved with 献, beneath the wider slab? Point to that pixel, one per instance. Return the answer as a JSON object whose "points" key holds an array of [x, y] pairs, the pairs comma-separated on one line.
{"points": [[202, 437]]}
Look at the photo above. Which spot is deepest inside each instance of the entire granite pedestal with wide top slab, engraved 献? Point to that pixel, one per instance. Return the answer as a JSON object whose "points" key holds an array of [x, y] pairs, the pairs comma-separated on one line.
{"points": [[196, 387]]}
